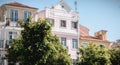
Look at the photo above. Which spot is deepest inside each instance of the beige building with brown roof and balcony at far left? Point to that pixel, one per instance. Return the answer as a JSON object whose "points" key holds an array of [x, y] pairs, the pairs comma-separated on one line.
{"points": [[10, 14]]}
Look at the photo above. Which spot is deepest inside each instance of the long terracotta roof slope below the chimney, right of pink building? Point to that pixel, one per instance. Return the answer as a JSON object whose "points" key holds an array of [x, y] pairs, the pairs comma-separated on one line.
{"points": [[91, 38]]}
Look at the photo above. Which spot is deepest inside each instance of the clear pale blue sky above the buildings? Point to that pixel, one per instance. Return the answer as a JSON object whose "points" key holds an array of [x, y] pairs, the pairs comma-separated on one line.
{"points": [[94, 14]]}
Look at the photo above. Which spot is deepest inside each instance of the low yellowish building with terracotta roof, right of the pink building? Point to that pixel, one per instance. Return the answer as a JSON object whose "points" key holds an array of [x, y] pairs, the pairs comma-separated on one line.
{"points": [[99, 37]]}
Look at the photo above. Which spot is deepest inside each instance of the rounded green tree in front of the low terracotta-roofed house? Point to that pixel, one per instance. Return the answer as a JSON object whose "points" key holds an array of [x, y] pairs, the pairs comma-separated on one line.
{"points": [[93, 54]]}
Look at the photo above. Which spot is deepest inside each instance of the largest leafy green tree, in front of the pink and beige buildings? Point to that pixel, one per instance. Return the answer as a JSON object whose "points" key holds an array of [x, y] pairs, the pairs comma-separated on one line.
{"points": [[37, 46]]}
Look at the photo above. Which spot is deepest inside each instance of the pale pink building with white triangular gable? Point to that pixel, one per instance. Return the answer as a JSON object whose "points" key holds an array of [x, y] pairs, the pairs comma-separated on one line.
{"points": [[65, 25]]}
